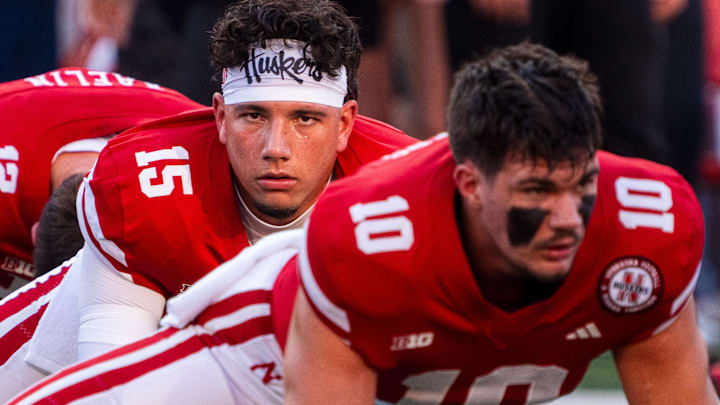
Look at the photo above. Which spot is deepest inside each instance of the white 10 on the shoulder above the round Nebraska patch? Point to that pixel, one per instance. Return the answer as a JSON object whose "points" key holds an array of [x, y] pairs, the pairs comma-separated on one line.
{"points": [[645, 195]]}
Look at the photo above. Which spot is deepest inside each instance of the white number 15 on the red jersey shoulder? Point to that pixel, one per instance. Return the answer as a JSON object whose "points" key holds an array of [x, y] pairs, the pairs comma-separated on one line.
{"points": [[169, 172]]}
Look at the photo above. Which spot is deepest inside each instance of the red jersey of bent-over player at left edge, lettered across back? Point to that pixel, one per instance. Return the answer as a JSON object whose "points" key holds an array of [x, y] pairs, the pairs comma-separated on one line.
{"points": [[40, 114]]}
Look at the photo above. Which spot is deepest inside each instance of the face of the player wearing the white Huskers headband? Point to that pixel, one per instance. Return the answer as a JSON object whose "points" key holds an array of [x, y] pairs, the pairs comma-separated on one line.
{"points": [[282, 153]]}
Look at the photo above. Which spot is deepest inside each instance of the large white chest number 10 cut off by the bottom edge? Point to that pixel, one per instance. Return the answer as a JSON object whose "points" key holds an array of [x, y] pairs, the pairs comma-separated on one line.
{"points": [[543, 383]]}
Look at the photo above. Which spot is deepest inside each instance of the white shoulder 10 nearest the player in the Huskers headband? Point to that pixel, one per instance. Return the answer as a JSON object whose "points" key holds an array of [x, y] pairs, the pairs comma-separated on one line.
{"points": [[399, 227]]}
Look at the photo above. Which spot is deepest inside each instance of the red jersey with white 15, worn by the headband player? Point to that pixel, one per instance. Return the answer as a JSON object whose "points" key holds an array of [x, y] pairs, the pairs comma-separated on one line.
{"points": [[160, 203]]}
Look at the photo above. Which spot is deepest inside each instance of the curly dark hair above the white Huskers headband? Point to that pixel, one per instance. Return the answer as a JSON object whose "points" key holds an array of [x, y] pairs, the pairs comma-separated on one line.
{"points": [[331, 35]]}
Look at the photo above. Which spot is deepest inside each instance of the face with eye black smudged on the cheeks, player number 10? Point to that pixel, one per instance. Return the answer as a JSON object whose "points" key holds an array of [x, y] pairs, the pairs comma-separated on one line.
{"points": [[536, 218]]}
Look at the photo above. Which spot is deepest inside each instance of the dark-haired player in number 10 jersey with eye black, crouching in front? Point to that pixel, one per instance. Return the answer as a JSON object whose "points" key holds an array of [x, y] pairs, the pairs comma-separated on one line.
{"points": [[476, 271]]}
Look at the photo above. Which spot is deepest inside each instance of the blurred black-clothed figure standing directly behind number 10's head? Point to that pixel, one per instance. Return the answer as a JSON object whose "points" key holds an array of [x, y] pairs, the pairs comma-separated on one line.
{"points": [[625, 49]]}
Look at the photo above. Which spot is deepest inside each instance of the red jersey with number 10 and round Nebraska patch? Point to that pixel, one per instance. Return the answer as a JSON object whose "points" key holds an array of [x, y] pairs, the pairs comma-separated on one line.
{"points": [[384, 267]]}
